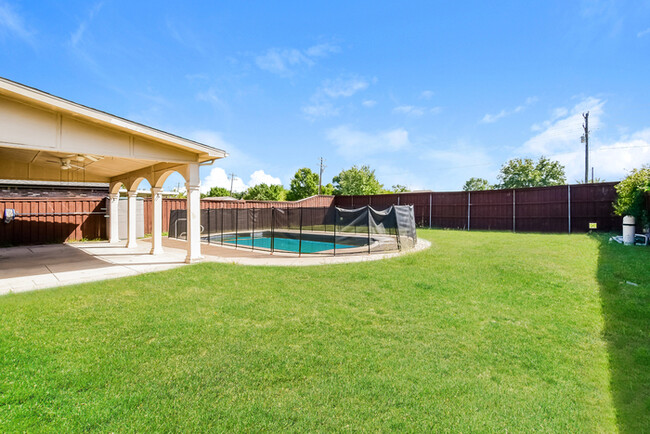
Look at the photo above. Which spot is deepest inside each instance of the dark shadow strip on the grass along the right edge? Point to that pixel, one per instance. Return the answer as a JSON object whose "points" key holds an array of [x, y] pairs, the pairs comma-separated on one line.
{"points": [[624, 280]]}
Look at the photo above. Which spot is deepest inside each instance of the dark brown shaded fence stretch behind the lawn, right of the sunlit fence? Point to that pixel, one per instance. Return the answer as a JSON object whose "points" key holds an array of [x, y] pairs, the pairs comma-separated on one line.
{"points": [[543, 209]]}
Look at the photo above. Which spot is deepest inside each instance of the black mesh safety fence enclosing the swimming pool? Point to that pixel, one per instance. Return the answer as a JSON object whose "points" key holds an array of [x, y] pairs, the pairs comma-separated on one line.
{"points": [[323, 231]]}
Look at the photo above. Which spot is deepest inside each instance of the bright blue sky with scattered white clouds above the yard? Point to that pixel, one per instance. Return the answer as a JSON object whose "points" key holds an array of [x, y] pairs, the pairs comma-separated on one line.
{"points": [[427, 93]]}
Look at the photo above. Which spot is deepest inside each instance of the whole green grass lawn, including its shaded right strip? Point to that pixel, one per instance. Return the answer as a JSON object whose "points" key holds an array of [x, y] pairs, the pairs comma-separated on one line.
{"points": [[483, 332]]}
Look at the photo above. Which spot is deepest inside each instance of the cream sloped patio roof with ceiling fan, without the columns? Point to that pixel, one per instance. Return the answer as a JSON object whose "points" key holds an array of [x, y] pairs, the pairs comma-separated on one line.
{"points": [[48, 138]]}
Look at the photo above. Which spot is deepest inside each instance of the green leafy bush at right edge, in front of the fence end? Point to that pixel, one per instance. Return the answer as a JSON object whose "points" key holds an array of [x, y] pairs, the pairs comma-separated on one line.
{"points": [[631, 192]]}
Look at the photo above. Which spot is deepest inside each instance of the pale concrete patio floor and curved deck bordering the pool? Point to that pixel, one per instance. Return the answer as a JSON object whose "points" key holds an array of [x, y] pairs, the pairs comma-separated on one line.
{"points": [[28, 268]]}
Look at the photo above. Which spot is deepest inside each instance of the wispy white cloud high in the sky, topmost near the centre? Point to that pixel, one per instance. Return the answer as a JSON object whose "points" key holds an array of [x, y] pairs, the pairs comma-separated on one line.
{"points": [[282, 61]]}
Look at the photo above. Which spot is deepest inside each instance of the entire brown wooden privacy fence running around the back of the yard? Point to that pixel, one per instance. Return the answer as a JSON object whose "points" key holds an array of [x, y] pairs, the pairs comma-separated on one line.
{"points": [[560, 209]]}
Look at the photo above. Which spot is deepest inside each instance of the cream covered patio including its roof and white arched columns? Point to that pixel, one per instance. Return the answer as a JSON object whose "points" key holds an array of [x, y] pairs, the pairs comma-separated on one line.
{"points": [[47, 138]]}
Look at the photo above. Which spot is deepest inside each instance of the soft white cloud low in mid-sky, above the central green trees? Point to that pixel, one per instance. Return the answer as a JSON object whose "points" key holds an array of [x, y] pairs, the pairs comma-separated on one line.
{"points": [[353, 144]]}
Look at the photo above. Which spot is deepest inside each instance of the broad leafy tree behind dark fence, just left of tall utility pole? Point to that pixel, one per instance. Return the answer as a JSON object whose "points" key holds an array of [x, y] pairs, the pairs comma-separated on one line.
{"points": [[518, 173]]}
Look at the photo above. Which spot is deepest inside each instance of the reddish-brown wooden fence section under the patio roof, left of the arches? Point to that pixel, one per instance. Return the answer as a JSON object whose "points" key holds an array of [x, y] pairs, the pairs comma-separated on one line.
{"points": [[47, 220]]}
